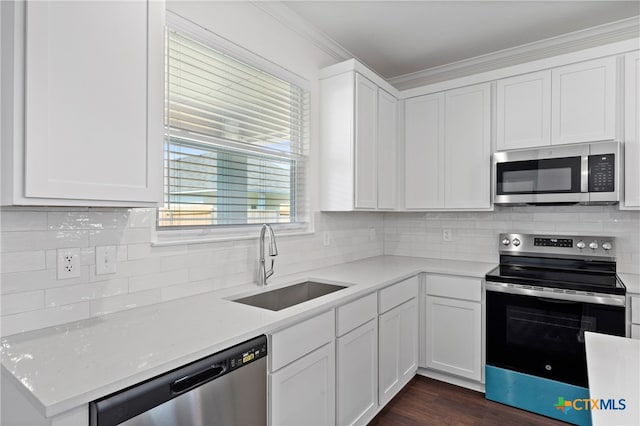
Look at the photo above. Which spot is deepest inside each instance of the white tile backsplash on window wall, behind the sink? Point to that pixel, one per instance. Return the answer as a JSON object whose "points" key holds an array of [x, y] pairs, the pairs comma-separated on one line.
{"points": [[33, 298]]}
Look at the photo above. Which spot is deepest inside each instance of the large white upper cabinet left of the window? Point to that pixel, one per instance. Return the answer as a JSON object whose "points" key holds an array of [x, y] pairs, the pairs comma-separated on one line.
{"points": [[82, 116]]}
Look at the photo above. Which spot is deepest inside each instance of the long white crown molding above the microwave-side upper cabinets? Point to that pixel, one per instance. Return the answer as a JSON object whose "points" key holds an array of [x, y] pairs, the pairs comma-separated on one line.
{"points": [[571, 42]]}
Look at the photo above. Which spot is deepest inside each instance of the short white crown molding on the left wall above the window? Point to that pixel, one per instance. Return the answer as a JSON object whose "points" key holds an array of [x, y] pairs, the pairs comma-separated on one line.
{"points": [[302, 27]]}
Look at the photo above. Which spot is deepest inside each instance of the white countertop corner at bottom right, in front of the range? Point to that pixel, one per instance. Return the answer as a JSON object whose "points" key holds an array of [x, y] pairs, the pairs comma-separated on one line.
{"points": [[613, 367]]}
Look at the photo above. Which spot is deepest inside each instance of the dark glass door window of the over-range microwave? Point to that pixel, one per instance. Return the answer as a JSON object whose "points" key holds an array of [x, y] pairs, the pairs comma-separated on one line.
{"points": [[556, 175]]}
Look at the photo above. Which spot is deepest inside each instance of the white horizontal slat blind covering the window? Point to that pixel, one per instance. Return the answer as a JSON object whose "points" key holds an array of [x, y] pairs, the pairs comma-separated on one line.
{"points": [[236, 141]]}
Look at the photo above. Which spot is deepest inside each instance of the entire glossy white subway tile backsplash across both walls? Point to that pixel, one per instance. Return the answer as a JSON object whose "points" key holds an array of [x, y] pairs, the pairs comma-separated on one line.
{"points": [[33, 297]]}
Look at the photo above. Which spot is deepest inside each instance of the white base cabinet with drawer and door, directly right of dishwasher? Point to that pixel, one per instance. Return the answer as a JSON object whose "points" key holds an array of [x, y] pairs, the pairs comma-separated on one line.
{"points": [[302, 373]]}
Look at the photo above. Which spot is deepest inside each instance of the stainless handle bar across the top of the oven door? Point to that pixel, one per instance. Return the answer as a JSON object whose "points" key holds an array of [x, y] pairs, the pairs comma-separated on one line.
{"points": [[595, 298]]}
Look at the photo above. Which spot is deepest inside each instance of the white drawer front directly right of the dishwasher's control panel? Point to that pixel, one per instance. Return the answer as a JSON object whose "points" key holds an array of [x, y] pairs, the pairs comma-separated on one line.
{"points": [[292, 343]]}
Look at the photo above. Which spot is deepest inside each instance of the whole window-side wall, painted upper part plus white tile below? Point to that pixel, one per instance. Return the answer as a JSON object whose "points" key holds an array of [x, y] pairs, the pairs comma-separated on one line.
{"points": [[31, 295]]}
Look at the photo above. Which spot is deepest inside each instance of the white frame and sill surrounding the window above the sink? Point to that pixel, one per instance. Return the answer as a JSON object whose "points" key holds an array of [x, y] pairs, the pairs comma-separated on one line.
{"points": [[172, 235]]}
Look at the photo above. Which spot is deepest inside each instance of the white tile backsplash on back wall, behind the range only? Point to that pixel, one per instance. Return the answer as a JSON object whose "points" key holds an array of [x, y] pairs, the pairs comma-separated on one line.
{"points": [[475, 234]]}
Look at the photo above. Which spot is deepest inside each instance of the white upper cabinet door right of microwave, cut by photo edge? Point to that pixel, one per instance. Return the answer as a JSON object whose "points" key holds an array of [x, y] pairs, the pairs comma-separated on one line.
{"points": [[632, 130]]}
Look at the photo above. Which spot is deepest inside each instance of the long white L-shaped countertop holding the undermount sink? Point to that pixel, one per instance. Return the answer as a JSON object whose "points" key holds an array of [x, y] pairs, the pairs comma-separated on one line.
{"points": [[60, 368]]}
